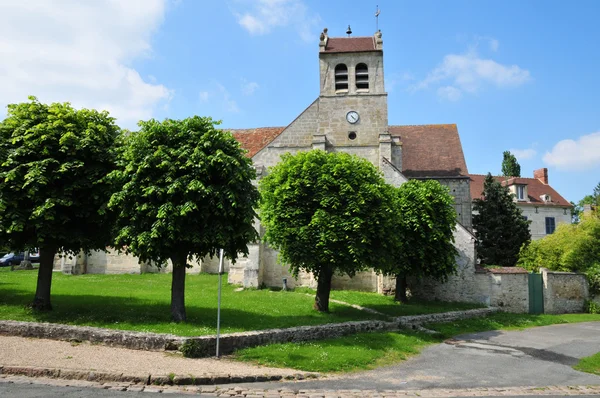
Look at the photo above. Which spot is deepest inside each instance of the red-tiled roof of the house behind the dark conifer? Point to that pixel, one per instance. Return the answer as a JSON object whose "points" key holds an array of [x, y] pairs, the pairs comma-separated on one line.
{"points": [[535, 189]]}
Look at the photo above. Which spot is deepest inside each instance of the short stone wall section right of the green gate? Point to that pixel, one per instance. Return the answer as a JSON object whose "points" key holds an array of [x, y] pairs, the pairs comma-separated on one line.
{"points": [[564, 292]]}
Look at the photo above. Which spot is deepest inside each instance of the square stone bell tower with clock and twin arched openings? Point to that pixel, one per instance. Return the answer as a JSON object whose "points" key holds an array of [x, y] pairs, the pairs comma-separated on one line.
{"points": [[353, 111]]}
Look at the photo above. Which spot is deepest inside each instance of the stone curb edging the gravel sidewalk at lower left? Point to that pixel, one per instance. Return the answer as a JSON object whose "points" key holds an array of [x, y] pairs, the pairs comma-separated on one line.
{"points": [[157, 380]]}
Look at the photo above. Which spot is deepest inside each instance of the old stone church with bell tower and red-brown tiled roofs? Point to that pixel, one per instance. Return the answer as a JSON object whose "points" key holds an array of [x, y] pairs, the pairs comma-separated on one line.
{"points": [[350, 114]]}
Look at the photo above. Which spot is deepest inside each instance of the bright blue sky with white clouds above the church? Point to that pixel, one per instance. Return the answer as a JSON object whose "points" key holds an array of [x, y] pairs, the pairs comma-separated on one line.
{"points": [[513, 75]]}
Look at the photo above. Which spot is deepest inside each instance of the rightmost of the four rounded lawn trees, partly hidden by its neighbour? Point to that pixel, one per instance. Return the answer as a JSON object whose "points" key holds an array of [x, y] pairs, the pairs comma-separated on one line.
{"points": [[423, 234]]}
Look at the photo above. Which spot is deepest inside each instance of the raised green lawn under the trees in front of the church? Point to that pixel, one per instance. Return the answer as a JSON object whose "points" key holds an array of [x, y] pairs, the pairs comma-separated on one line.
{"points": [[142, 303]]}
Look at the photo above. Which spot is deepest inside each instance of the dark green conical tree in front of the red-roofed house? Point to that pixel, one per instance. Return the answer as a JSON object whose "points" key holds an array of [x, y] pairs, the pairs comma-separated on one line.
{"points": [[500, 228]]}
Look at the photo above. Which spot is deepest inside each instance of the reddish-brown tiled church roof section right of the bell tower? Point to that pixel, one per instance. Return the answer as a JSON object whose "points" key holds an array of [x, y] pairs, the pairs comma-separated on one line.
{"points": [[431, 150]]}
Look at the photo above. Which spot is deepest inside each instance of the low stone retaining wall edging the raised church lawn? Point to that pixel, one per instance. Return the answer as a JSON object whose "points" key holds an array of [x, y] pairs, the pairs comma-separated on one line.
{"points": [[204, 346]]}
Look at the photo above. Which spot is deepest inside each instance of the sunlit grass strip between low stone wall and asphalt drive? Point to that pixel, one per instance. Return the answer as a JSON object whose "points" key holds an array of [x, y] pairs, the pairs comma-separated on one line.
{"points": [[371, 350]]}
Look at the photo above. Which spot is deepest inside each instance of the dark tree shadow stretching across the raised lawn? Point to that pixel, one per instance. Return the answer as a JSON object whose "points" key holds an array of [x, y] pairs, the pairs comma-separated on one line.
{"points": [[130, 313]]}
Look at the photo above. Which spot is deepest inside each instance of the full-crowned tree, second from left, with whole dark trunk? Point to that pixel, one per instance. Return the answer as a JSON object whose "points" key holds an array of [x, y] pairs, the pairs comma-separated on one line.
{"points": [[187, 191]]}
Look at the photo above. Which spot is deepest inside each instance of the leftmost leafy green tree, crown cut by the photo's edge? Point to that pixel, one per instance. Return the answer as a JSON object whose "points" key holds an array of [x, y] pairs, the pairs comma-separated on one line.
{"points": [[53, 186]]}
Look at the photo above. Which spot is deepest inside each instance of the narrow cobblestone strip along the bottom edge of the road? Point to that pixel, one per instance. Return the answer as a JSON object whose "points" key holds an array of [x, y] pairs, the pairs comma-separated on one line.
{"points": [[117, 389]]}
